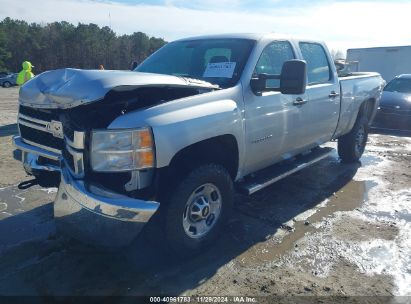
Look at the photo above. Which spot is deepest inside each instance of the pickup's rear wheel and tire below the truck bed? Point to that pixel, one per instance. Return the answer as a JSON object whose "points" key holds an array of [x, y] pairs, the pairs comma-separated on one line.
{"points": [[352, 145]]}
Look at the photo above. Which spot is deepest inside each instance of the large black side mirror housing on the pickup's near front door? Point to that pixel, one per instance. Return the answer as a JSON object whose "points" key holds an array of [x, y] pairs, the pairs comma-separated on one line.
{"points": [[293, 79]]}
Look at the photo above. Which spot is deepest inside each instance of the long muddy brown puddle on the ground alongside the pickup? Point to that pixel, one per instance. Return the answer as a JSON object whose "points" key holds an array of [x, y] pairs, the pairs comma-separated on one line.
{"points": [[348, 198]]}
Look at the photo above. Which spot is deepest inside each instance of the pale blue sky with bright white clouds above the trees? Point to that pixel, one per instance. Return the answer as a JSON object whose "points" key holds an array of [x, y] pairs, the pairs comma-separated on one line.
{"points": [[341, 24]]}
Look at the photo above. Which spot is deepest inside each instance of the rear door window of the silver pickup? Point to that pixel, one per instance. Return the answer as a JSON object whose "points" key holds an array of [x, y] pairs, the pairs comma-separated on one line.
{"points": [[318, 68]]}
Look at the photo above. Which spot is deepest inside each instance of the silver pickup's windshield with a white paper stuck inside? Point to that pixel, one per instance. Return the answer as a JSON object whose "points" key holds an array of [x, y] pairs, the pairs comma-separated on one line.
{"points": [[218, 61]]}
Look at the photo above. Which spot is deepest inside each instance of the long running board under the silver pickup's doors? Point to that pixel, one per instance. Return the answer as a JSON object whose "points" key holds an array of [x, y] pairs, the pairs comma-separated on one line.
{"points": [[274, 173]]}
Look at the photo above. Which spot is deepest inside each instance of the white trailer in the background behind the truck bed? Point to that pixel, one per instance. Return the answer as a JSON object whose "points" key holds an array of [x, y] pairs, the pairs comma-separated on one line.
{"points": [[388, 61]]}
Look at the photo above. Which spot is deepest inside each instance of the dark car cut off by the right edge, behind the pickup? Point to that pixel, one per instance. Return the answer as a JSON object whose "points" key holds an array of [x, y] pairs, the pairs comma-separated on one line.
{"points": [[394, 111]]}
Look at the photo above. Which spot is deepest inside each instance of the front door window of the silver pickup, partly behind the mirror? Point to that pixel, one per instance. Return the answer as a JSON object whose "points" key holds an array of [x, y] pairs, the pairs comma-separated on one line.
{"points": [[272, 59]]}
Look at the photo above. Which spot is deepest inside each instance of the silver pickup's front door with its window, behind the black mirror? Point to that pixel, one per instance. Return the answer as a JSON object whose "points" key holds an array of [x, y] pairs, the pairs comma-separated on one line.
{"points": [[272, 120]]}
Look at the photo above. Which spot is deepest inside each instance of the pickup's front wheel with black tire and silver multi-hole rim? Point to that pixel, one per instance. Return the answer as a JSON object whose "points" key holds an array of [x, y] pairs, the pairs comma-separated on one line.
{"points": [[197, 209]]}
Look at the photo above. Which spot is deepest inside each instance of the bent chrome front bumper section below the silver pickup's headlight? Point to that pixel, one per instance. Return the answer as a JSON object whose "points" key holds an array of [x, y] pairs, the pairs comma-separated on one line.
{"points": [[96, 216]]}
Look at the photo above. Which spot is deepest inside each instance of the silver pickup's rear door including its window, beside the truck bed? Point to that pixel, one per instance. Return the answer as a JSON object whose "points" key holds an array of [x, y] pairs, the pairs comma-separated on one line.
{"points": [[323, 106]]}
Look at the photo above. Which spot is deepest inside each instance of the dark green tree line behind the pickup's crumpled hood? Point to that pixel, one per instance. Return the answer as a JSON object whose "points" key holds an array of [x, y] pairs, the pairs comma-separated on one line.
{"points": [[62, 44]]}
